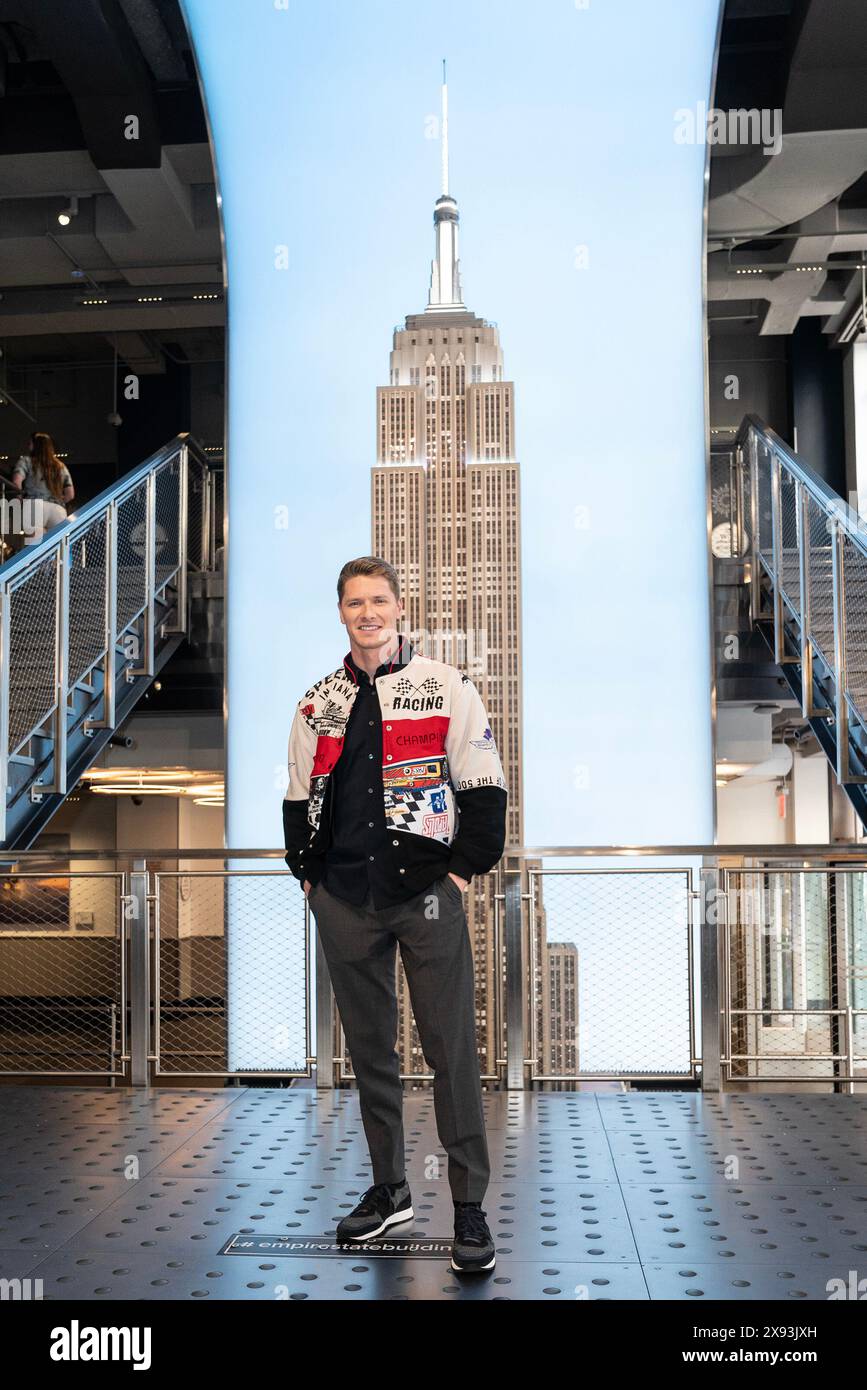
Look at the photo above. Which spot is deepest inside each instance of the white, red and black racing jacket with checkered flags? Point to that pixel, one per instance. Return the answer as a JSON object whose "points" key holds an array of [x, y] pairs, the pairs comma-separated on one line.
{"points": [[444, 792]]}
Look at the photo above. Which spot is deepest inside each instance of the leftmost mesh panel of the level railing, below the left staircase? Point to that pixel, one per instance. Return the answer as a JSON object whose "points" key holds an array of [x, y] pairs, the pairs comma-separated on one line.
{"points": [[62, 972]]}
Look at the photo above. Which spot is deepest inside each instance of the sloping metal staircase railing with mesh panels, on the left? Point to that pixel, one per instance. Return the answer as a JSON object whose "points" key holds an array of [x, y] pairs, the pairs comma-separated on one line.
{"points": [[120, 600]]}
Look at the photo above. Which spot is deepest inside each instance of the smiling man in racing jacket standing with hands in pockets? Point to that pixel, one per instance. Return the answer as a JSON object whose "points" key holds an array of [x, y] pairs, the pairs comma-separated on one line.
{"points": [[397, 797]]}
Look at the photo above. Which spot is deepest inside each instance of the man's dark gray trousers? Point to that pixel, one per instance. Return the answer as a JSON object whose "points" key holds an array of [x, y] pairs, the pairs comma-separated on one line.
{"points": [[361, 950]]}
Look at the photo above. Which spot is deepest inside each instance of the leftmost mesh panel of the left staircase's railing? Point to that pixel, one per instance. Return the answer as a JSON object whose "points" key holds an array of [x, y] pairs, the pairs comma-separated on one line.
{"points": [[33, 651]]}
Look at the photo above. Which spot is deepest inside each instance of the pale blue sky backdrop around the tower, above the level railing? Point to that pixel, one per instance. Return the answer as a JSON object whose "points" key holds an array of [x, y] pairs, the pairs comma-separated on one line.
{"points": [[562, 136]]}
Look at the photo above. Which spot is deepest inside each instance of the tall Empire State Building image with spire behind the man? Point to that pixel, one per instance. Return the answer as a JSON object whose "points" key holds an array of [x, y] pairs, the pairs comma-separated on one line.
{"points": [[445, 502]]}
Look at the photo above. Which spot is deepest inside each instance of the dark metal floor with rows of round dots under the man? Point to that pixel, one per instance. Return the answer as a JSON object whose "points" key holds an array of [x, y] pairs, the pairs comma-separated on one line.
{"points": [[672, 1196]]}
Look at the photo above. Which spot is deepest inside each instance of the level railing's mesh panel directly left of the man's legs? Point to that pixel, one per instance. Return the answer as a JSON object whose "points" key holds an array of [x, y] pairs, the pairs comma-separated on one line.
{"points": [[238, 935]]}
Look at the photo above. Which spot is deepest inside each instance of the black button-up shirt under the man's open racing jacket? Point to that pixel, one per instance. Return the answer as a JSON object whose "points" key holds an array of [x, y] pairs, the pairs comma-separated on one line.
{"points": [[359, 857]]}
